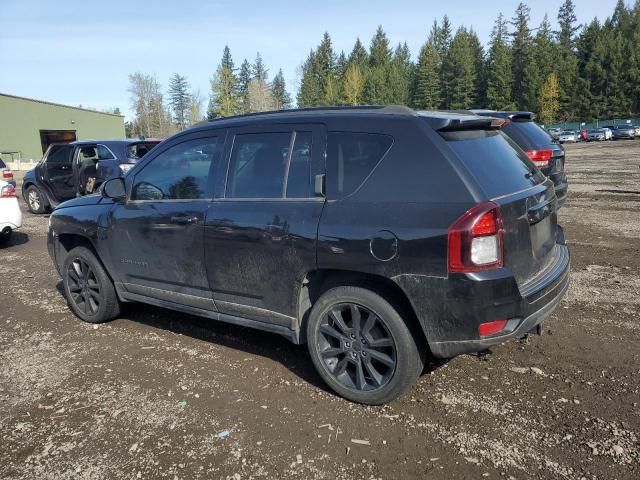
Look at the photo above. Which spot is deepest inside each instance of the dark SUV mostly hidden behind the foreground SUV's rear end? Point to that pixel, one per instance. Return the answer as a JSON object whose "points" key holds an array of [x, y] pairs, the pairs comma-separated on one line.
{"points": [[538, 144]]}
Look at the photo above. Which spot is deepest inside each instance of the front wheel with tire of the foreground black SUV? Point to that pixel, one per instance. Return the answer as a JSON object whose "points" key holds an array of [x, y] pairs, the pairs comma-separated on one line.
{"points": [[89, 290]]}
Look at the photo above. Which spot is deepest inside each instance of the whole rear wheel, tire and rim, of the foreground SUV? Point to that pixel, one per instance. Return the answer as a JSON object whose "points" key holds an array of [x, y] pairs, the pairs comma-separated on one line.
{"points": [[344, 353]]}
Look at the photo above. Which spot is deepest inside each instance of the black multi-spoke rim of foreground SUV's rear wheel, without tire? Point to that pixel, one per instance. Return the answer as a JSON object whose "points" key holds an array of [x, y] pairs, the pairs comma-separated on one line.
{"points": [[356, 347]]}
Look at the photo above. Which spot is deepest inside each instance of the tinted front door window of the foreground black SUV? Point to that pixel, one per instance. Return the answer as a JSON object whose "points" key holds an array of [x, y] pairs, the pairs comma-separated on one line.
{"points": [[182, 172]]}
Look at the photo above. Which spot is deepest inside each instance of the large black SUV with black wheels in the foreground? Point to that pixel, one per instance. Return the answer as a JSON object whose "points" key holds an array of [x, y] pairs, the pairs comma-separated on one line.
{"points": [[374, 235]]}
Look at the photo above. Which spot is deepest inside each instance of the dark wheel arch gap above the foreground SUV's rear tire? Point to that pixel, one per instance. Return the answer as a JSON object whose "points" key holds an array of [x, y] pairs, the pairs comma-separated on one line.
{"points": [[317, 282]]}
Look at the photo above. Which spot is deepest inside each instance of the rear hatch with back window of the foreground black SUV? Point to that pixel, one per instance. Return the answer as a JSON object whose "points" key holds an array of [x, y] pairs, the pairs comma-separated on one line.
{"points": [[526, 198]]}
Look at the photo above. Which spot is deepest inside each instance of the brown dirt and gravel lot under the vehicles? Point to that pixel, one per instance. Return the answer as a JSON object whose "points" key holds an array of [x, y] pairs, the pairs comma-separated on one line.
{"points": [[149, 395]]}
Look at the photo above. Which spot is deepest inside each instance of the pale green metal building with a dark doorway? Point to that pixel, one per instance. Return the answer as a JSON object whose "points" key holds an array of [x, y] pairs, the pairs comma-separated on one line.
{"points": [[28, 127]]}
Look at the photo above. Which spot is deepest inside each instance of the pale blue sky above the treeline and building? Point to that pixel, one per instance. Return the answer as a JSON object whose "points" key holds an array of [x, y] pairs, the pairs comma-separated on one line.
{"points": [[80, 52]]}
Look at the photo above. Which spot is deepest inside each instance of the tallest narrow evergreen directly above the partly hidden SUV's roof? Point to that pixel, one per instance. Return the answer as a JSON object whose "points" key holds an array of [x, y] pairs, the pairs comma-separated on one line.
{"points": [[521, 57]]}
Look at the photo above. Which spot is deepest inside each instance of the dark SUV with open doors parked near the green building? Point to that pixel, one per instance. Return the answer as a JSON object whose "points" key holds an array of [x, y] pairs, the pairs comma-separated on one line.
{"points": [[68, 170]]}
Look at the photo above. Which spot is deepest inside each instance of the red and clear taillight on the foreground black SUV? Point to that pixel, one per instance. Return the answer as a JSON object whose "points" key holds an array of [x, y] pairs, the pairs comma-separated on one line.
{"points": [[475, 240]]}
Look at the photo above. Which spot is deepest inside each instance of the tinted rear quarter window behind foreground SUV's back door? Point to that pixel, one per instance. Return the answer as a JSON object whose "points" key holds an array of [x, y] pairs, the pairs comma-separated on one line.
{"points": [[351, 157]]}
